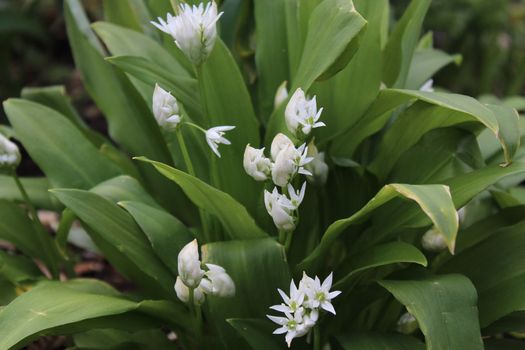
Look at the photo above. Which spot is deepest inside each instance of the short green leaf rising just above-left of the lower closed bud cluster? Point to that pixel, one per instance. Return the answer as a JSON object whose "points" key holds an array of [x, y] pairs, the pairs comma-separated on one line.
{"points": [[166, 234]]}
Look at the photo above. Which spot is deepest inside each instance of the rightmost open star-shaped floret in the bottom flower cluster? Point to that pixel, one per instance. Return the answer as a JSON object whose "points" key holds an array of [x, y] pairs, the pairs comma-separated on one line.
{"points": [[318, 295]]}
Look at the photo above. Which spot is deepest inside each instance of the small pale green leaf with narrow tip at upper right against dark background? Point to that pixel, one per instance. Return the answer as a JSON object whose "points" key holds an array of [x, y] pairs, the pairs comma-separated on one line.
{"points": [[426, 63]]}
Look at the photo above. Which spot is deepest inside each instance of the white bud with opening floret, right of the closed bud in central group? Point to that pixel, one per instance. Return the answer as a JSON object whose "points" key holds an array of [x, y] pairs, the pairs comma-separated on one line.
{"points": [[289, 162]]}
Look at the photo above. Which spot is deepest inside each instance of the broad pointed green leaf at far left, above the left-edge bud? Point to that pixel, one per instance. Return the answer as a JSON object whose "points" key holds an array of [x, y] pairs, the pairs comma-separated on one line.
{"points": [[48, 136]]}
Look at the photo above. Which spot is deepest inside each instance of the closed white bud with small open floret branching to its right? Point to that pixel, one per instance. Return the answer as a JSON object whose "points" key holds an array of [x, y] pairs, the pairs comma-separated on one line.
{"points": [[168, 115]]}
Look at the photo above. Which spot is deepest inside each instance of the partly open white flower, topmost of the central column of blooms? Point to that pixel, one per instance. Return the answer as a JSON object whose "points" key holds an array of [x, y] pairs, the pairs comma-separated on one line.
{"points": [[301, 114]]}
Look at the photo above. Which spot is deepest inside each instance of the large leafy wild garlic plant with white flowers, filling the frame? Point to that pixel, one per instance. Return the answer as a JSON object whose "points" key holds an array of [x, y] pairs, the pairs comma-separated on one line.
{"points": [[251, 145]]}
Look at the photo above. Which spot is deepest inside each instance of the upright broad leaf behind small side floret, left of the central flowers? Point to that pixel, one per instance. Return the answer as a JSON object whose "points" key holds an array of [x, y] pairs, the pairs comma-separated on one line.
{"points": [[228, 103]]}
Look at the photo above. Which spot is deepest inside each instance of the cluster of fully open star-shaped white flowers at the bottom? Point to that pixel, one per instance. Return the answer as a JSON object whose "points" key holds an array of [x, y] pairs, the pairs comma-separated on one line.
{"points": [[302, 307]]}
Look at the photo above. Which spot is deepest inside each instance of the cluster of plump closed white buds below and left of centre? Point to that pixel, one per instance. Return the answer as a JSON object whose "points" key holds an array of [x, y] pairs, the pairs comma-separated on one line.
{"points": [[194, 282]]}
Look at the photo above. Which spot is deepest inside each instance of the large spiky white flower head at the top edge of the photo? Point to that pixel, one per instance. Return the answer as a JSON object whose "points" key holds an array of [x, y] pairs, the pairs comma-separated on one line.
{"points": [[193, 29]]}
